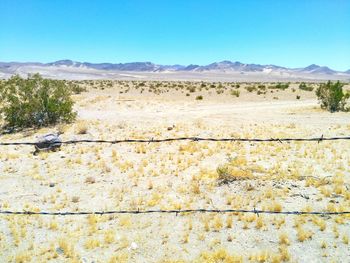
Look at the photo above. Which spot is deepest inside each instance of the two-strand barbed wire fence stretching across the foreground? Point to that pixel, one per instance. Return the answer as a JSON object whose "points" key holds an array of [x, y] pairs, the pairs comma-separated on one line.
{"points": [[180, 211]]}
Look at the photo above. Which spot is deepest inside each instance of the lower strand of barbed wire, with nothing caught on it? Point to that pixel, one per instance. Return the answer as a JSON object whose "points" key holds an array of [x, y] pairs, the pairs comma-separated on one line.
{"points": [[173, 212]]}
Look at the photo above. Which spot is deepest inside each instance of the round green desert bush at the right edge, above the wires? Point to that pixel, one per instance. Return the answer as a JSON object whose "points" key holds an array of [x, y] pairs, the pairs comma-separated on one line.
{"points": [[332, 97]]}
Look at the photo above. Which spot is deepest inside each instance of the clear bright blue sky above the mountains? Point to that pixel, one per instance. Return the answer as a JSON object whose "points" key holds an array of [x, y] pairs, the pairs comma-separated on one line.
{"points": [[292, 33]]}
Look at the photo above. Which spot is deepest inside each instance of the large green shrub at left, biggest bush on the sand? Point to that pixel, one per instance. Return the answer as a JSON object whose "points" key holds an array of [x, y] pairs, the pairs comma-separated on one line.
{"points": [[35, 102]]}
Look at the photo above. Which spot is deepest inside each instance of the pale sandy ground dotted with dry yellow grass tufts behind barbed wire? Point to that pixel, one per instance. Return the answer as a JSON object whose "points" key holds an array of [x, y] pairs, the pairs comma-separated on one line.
{"points": [[272, 176]]}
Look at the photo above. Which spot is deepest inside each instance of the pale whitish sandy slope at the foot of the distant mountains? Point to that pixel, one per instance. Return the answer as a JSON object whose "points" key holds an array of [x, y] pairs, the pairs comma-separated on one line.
{"points": [[81, 73]]}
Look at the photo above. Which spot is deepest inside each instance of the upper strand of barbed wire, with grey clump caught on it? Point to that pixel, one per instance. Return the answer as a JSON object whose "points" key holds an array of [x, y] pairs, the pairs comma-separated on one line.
{"points": [[195, 139]]}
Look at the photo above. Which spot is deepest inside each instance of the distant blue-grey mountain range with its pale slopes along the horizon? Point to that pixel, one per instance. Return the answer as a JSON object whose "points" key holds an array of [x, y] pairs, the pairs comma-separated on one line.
{"points": [[73, 69]]}
